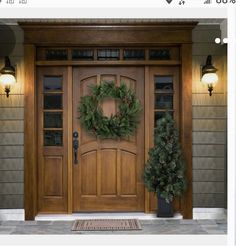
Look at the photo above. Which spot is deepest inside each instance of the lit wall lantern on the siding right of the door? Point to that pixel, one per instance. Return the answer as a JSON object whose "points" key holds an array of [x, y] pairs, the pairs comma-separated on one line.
{"points": [[209, 75]]}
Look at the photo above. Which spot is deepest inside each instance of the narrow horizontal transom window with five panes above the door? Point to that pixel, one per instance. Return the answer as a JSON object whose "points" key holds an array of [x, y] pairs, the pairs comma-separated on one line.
{"points": [[109, 53]]}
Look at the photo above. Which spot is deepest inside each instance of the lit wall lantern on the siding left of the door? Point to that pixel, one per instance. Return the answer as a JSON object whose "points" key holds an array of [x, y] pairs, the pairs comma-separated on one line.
{"points": [[7, 75]]}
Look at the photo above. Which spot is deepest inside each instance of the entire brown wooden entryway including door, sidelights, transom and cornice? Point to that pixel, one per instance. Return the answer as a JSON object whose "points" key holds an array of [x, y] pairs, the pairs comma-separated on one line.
{"points": [[101, 175]]}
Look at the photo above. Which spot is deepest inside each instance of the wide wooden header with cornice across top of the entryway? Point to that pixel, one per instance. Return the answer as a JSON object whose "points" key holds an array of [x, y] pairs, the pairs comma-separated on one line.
{"points": [[94, 34]]}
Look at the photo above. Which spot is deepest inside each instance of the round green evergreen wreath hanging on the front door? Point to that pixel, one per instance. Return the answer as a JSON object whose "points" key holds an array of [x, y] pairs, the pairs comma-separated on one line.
{"points": [[123, 123]]}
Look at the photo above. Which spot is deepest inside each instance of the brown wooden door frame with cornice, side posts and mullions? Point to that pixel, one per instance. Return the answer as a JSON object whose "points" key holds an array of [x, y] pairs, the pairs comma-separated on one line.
{"points": [[153, 34]]}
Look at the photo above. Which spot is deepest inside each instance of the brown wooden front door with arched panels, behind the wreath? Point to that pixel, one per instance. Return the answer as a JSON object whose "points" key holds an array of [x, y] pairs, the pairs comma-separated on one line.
{"points": [[108, 176]]}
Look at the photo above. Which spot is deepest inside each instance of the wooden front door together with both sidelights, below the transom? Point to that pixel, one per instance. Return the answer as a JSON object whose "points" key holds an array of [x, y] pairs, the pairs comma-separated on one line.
{"points": [[104, 174]]}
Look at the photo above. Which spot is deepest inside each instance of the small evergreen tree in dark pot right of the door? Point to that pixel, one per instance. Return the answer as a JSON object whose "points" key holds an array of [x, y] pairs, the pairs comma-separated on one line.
{"points": [[164, 170]]}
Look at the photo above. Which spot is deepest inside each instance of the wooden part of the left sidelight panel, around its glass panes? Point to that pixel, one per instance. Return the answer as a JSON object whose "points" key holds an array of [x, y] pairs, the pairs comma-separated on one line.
{"points": [[52, 160]]}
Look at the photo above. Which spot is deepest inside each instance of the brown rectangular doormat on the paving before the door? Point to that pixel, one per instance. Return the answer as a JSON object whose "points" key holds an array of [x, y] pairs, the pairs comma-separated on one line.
{"points": [[106, 225]]}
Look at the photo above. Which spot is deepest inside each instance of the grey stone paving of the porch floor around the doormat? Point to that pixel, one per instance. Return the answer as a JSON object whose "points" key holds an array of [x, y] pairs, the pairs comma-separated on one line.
{"points": [[158, 227]]}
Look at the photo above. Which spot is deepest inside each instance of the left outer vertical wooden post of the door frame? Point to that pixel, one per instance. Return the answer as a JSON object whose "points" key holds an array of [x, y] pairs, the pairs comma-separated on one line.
{"points": [[30, 116]]}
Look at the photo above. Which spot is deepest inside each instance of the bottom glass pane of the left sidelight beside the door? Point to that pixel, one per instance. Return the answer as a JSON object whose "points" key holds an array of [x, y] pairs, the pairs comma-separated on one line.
{"points": [[53, 138]]}
